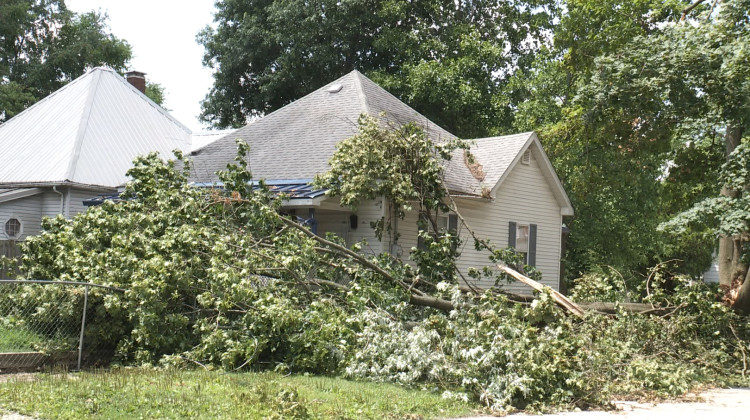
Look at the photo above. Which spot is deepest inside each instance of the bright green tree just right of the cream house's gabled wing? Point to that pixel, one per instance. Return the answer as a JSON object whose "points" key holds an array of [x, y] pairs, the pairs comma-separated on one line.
{"points": [[624, 160]]}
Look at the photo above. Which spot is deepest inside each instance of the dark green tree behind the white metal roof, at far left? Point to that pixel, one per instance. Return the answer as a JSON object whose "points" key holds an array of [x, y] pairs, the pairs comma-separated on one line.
{"points": [[43, 46]]}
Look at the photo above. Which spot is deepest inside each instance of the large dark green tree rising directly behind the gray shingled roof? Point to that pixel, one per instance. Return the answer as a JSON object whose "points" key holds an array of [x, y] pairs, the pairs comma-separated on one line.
{"points": [[448, 60]]}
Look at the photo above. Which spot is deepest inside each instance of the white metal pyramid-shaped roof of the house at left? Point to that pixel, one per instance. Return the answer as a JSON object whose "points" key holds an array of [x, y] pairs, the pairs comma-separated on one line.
{"points": [[87, 132]]}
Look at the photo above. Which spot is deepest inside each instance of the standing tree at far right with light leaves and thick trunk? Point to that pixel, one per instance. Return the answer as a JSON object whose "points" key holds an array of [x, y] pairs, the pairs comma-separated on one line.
{"points": [[683, 87]]}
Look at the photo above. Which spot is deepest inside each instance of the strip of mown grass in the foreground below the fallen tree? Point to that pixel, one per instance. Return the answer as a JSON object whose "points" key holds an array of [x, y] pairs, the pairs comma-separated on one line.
{"points": [[179, 394]]}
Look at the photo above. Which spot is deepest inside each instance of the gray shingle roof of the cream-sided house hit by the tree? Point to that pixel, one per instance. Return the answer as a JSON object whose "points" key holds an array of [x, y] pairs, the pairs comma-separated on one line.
{"points": [[296, 141]]}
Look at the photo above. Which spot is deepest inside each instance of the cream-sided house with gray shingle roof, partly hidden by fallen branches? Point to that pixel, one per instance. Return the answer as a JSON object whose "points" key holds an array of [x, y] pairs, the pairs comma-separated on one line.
{"points": [[516, 199]]}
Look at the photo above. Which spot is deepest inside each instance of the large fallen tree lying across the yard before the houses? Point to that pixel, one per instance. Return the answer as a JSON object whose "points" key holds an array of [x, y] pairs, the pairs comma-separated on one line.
{"points": [[220, 278]]}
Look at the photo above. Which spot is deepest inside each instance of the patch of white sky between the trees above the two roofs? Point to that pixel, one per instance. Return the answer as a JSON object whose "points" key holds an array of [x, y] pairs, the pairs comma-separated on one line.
{"points": [[162, 35]]}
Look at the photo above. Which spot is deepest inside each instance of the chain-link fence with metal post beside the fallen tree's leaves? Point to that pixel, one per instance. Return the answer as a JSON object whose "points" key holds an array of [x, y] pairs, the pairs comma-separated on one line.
{"points": [[43, 323]]}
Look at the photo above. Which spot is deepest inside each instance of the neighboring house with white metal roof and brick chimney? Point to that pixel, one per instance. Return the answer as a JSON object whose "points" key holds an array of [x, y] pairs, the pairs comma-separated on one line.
{"points": [[74, 144]]}
